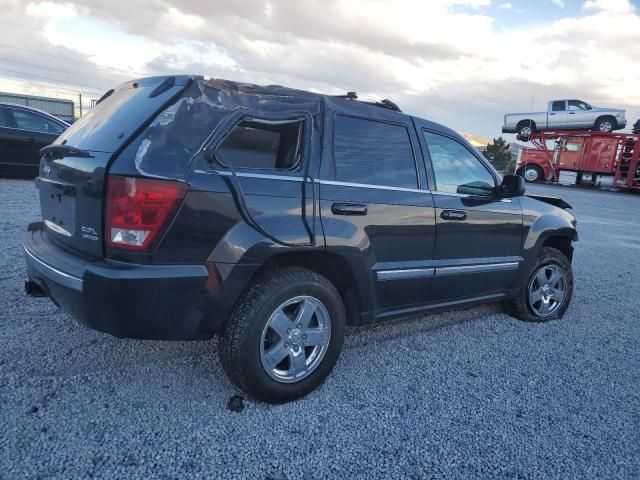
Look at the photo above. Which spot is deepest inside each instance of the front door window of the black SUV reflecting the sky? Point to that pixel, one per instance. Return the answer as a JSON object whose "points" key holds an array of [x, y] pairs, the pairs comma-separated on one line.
{"points": [[456, 169]]}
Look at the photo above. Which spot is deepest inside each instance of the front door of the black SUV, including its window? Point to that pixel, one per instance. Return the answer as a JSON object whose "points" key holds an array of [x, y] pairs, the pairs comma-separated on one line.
{"points": [[478, 235]]}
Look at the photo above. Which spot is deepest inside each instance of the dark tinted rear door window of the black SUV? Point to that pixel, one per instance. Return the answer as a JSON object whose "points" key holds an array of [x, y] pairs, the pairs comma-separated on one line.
{"points": [[375, 153]]}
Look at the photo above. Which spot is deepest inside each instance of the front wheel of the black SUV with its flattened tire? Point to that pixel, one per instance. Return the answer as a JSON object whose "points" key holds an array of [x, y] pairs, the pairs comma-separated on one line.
{"points": [[523, 306]]}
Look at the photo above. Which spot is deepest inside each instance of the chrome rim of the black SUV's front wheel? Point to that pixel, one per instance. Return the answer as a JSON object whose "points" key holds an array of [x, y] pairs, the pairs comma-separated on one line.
{"points": [[547, 290]]}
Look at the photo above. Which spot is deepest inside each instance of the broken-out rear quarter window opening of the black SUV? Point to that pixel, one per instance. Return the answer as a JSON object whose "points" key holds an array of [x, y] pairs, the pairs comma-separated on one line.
{"points": [[260, 144]]}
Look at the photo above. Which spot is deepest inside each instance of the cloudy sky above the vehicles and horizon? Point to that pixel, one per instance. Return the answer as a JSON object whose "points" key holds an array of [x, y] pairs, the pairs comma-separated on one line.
{"points": [[463, 63]]}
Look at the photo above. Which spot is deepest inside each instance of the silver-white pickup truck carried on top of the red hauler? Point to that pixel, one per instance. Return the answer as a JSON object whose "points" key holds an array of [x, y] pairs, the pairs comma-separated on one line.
{"points": [[565, 115]]}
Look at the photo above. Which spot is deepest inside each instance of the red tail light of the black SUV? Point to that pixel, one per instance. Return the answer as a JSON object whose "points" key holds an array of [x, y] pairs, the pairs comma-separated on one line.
{"points": [[139, 209]]}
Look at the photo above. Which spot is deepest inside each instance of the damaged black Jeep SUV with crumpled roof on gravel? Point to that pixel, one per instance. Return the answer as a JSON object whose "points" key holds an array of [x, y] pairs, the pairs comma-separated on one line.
{"points": [[183, 208]]}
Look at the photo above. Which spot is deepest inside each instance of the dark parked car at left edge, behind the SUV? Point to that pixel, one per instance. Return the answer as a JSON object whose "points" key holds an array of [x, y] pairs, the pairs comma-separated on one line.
{"points": [[23, 132]]}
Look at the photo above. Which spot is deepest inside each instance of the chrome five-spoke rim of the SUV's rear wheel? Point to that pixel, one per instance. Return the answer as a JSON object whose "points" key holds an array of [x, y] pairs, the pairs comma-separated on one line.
{"points": [[295, 339]]}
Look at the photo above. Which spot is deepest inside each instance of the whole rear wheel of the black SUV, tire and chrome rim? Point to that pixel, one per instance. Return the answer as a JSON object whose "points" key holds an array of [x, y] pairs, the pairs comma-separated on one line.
{"points": [[251, 341]]}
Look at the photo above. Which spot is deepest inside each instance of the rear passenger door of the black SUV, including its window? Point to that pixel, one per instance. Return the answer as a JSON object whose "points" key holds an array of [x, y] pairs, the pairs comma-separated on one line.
{"points": [[375, 209]]}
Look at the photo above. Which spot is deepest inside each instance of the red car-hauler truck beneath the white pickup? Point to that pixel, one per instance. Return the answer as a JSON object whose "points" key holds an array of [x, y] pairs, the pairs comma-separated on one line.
{"points": [[609, 158]]}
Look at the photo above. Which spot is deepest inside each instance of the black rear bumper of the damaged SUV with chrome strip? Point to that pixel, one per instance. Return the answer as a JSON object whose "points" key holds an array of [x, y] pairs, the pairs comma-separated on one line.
{"points": [[163, 302]]}
